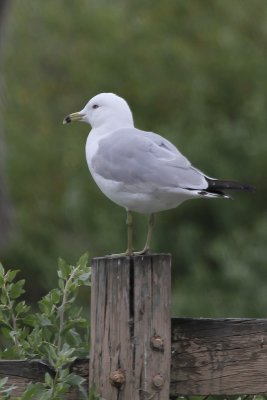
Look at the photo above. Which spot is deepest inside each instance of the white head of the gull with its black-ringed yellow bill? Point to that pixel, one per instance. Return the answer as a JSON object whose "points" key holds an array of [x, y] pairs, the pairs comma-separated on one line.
{"points": [[104, 109]]}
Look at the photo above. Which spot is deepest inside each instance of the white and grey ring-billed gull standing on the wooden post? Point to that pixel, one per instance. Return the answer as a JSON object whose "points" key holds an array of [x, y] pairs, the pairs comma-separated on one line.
{"points": [[140, 171]]}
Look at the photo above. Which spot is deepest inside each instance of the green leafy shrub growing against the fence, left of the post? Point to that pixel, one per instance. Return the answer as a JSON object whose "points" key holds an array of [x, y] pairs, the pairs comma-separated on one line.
{"points": [[56, 333]]}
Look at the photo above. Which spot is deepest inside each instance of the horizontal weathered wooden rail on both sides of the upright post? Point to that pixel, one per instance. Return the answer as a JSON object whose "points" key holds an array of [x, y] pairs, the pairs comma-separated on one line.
{"points": [[209, 356]]}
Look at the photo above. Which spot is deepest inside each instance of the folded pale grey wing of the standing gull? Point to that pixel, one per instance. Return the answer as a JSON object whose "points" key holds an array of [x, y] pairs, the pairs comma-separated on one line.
{"points": [[135, 157]]}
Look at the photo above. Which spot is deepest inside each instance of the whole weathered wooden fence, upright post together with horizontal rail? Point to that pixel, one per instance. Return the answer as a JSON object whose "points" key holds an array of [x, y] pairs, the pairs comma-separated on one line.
{"points": [[131, 357]]}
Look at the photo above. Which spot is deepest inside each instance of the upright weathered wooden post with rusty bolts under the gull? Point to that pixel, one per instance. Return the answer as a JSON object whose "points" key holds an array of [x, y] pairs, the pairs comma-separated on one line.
{"points": [[131, 327]]}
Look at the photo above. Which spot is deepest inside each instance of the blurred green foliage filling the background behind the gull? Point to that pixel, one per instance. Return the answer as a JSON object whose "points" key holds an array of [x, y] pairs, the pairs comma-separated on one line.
{"points": [[193, 71]]}
